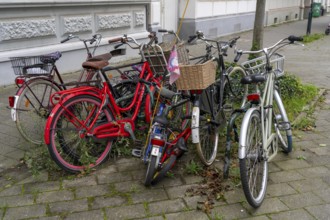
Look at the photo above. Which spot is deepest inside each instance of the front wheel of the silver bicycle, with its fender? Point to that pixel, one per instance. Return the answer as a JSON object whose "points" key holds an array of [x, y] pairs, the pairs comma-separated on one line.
{"points": [[282, 124]]}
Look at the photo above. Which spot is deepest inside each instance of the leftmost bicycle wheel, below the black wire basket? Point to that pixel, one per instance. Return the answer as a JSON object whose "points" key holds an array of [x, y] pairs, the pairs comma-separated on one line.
{"points": [[33, 107]]}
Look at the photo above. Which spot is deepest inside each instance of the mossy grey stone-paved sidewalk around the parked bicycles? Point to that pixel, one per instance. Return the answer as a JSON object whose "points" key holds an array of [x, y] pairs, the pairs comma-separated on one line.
{"points": [[298, 186]]}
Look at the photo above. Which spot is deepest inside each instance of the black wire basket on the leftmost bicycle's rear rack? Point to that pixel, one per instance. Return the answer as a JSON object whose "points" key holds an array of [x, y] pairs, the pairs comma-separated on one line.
{"points": [[31, 65]]}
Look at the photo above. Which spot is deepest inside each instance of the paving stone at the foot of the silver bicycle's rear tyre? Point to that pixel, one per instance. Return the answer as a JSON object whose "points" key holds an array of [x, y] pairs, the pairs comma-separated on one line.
{"points": [[269, 205]]}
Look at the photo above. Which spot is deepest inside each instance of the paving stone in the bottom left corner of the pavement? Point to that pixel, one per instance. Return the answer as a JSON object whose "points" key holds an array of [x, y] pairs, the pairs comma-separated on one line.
{"points": [[25, 212]]}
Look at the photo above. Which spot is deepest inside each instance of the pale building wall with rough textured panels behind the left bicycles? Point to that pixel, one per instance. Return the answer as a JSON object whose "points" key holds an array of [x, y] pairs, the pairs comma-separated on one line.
{"points": [[38, 27]]}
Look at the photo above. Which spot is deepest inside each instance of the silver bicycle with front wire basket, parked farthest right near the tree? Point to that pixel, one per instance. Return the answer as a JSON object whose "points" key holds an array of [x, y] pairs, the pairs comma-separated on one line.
{"points": [[265, 123]]}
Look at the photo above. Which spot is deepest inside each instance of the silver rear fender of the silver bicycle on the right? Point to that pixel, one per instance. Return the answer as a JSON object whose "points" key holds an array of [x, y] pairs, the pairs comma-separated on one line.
{"points": [[243, 134]]}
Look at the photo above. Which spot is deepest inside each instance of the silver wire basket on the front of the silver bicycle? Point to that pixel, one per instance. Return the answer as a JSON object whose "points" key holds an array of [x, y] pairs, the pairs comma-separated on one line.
{"points": [[257, 65]]}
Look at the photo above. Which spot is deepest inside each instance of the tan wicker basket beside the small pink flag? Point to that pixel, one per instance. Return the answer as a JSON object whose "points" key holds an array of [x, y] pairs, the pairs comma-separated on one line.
{"points": [[196, 76]]}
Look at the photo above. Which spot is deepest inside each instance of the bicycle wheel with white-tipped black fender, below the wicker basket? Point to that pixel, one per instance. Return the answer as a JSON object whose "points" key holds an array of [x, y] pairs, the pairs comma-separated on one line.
{"points": [[208, 133]]}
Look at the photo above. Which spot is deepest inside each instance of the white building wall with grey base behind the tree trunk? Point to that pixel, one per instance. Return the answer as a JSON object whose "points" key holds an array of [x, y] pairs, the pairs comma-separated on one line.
{"points": [[223, 17]]}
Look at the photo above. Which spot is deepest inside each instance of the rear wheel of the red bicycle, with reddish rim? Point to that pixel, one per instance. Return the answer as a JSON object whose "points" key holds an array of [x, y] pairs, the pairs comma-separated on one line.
{"points": [[71, 150]]}
